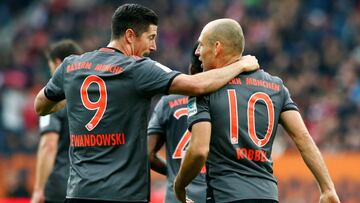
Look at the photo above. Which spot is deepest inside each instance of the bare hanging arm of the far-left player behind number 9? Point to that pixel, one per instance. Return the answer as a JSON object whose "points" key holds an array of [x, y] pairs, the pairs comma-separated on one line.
{"points": [[45, 161]]}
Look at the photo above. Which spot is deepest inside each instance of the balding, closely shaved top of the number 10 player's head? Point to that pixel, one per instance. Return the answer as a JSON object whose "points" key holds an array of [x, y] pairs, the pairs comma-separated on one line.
{"points": [[228, 32]]}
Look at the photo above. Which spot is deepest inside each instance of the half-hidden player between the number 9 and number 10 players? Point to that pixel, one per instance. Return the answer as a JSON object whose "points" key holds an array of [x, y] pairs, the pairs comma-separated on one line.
{"points": [[168, 125]]}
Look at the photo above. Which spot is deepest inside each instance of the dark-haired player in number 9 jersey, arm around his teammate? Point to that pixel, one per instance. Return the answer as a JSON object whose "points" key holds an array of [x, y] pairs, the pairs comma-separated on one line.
{"points": [[108, 93]]}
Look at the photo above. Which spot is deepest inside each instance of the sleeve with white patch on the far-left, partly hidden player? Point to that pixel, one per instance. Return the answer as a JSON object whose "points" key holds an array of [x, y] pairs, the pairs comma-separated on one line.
{"points": [[50, 123]]}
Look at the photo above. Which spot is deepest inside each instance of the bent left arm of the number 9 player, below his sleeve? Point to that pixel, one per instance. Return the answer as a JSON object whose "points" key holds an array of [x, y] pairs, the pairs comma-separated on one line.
{"points": [[44, 106]]}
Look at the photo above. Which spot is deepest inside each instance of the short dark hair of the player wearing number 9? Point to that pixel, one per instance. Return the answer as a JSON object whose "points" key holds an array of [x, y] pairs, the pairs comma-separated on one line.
{"points": [[134, 16]]}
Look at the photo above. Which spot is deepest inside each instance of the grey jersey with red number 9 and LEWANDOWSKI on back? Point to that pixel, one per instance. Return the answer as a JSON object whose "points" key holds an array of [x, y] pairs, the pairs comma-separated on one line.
{"points": [[108, 96]]}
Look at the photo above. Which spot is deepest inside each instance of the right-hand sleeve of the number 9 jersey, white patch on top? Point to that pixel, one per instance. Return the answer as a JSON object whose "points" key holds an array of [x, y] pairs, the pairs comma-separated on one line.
{"points": [[153, 78]]}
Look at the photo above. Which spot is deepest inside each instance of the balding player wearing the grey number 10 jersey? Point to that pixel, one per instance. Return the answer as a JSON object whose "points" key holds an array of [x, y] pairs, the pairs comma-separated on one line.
{"points": [[234, 128]]}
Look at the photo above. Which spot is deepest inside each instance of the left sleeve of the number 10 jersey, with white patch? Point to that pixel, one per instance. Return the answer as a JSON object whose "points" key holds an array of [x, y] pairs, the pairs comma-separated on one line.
{"points": [[198, 110]]}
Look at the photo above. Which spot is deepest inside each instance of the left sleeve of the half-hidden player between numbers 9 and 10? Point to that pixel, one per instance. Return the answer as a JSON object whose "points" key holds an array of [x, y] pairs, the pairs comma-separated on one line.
{"points": [[157, 120]]}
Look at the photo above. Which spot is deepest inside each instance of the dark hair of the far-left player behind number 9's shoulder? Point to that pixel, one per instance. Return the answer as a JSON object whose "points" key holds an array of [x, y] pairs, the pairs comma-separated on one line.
{"points": [[63, 49]]}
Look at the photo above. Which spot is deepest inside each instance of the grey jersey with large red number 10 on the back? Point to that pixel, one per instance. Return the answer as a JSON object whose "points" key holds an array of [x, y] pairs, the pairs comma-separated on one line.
{"points": [[244, 116]]}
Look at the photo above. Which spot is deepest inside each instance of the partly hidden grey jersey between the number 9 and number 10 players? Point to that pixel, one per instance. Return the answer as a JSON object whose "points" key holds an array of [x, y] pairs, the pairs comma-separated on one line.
{"points": [[170, 121]]}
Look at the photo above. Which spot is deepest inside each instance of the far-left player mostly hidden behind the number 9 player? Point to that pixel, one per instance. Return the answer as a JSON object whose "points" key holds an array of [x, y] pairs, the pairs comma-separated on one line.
{"points": [[52, 166]]}
